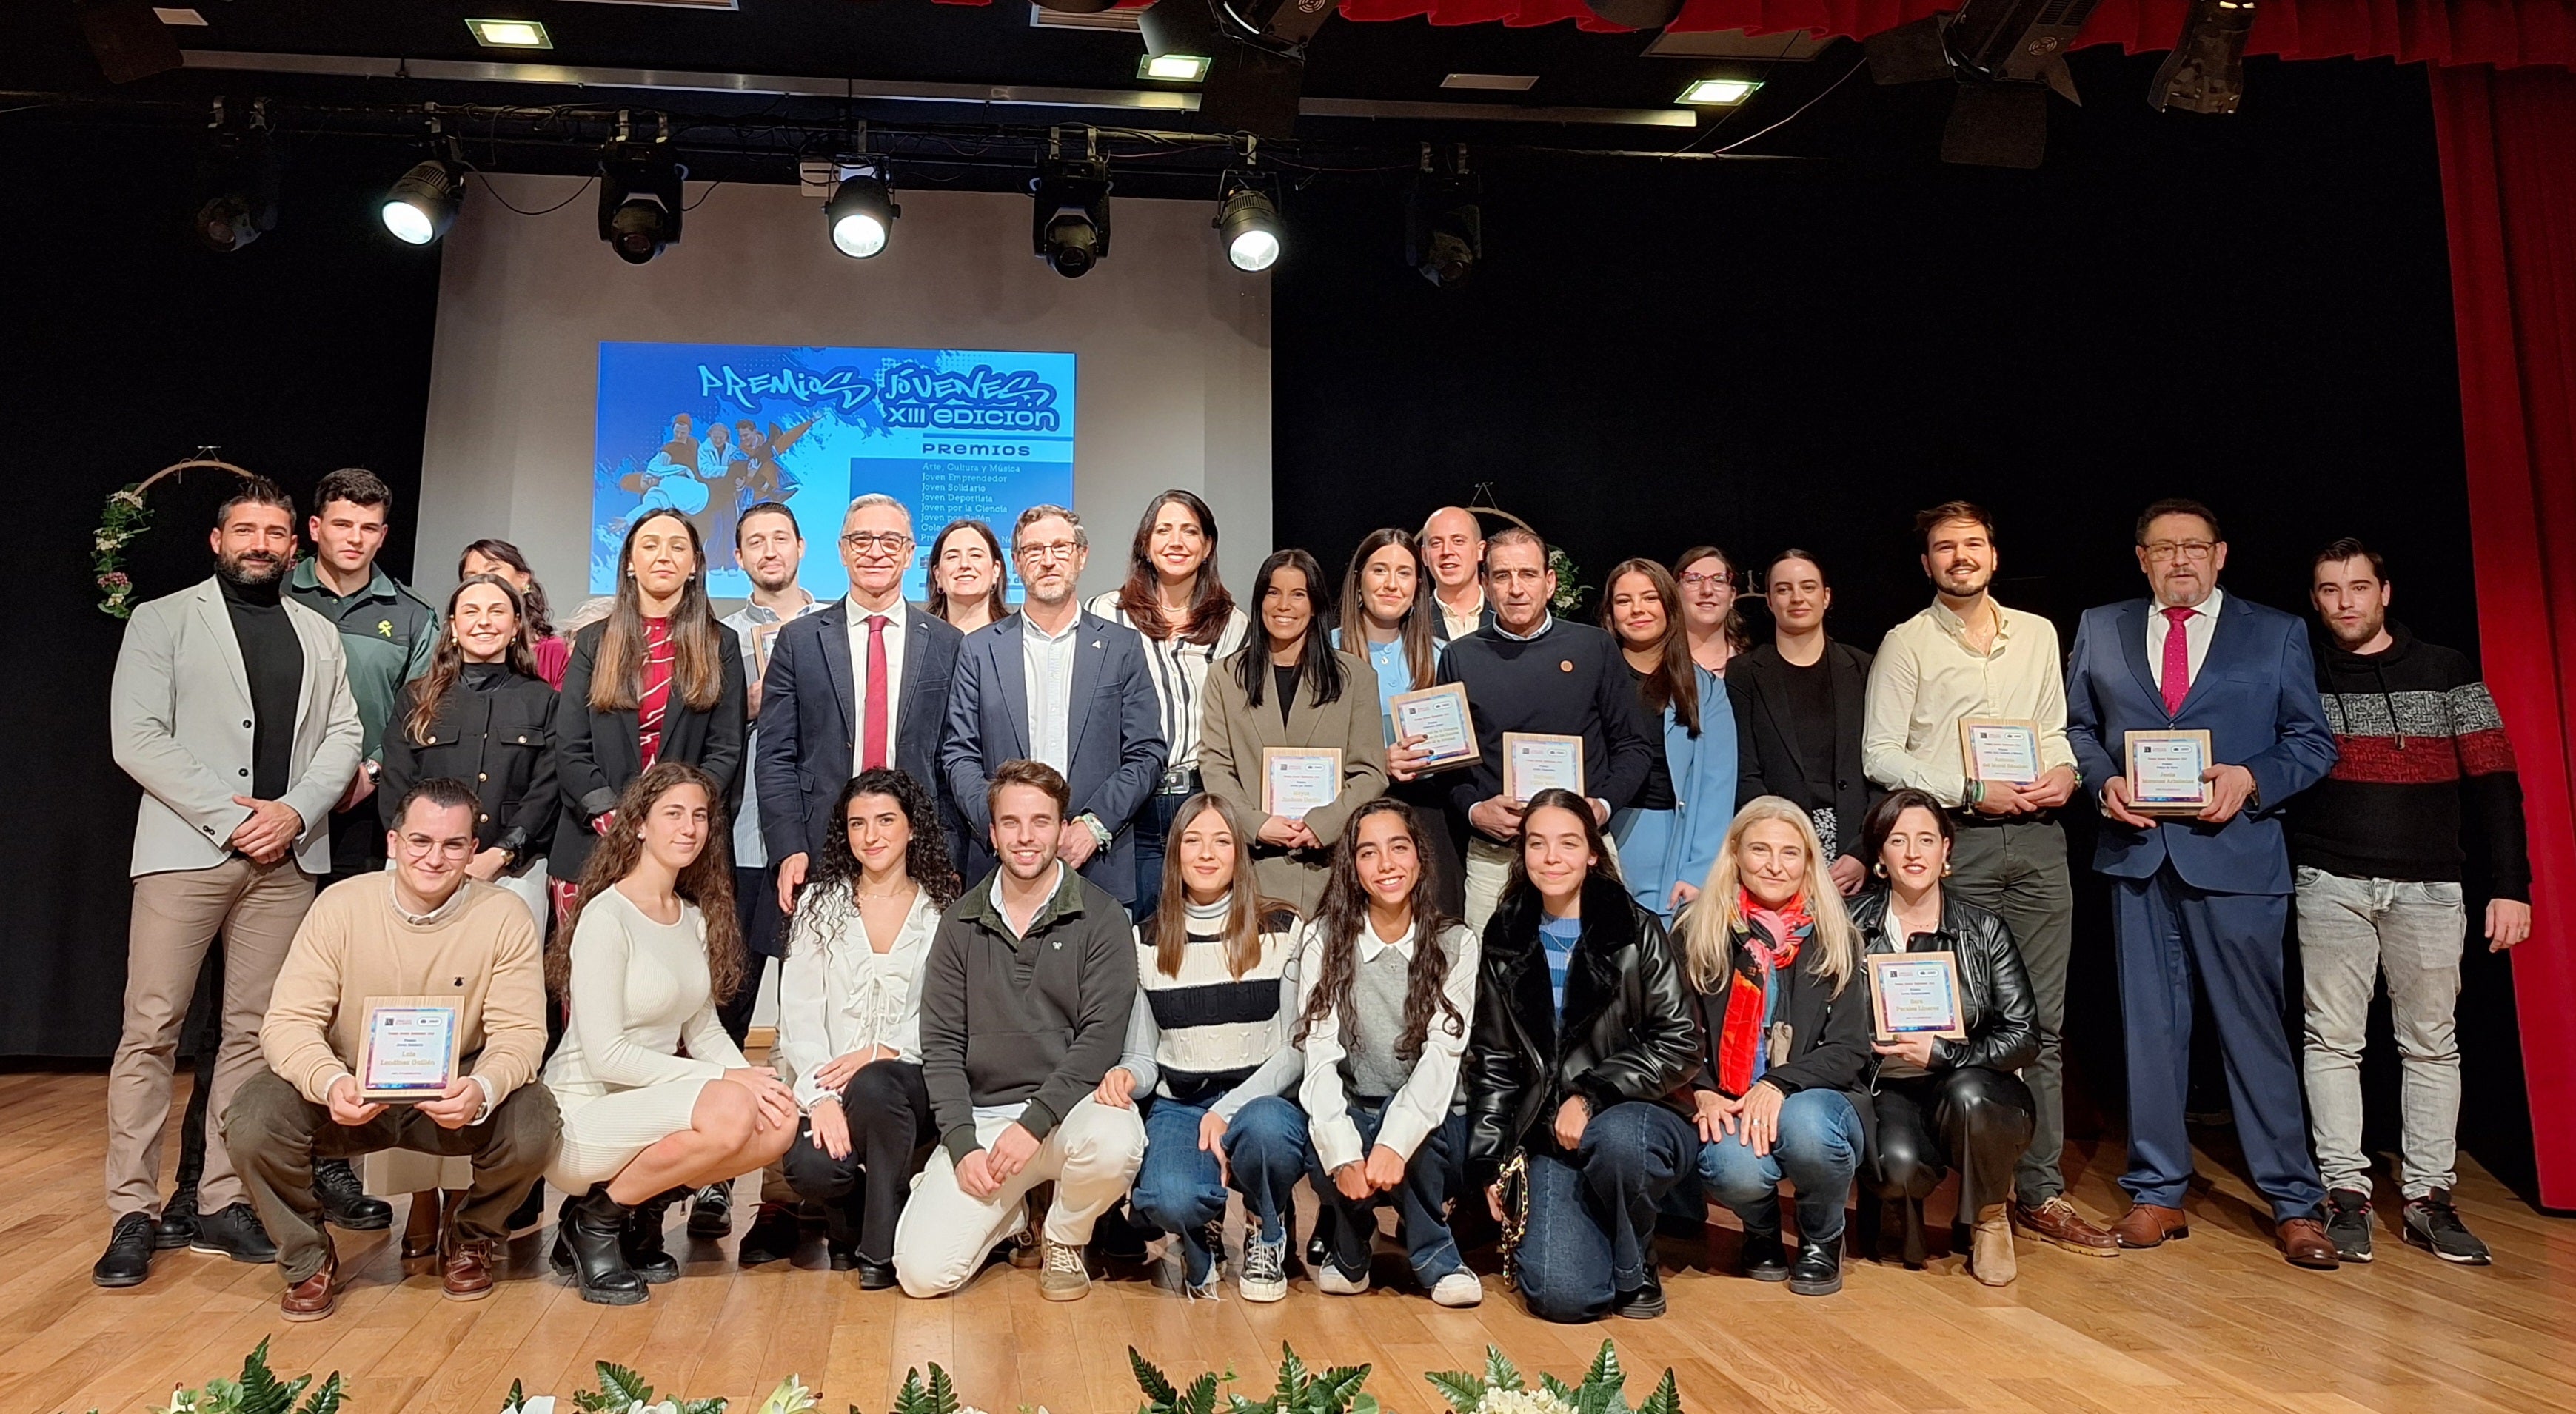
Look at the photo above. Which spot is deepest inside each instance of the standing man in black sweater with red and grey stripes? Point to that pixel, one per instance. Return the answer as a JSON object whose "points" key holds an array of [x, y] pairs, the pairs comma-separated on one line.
{"points": [[2379, 851]]}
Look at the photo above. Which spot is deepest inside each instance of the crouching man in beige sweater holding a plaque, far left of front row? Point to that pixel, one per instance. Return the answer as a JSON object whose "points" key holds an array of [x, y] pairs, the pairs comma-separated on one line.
{"points": [[426, 936]]}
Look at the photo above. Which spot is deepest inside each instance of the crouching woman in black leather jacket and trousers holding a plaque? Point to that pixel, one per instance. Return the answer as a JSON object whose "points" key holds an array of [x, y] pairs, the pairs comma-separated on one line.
{"points": [[1946, 1104]]}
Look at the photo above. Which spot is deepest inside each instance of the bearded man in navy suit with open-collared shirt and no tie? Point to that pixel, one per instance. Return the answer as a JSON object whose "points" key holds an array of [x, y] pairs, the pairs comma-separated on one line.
{"points": [[1060, 686]]}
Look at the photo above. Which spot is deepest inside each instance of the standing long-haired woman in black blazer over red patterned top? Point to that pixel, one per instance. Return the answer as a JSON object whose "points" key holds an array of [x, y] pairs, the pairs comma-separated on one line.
{"points": [[653, 681]]}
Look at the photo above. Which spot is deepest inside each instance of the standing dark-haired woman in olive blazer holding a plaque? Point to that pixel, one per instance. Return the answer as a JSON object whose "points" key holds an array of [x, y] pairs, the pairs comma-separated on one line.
{"points": [[1292, 689]]}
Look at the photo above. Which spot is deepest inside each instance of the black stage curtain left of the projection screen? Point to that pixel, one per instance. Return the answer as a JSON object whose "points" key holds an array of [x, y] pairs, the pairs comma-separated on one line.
{"points": [[125, 349]]}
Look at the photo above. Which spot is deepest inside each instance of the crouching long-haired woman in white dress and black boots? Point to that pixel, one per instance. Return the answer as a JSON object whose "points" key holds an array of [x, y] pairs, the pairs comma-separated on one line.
{"points": [[648, 954]]}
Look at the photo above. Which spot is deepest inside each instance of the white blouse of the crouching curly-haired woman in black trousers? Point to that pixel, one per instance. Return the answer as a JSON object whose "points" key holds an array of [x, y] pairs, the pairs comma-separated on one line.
{"points": [[841, 995]]}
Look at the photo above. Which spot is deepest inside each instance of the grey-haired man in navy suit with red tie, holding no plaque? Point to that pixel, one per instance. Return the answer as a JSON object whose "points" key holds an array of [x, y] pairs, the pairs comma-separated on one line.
{"points": [[854, 686]]}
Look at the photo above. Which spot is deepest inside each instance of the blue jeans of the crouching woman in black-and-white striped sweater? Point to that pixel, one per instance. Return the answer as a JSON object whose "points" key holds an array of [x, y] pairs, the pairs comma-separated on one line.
{"points": [[1179, 1189]]}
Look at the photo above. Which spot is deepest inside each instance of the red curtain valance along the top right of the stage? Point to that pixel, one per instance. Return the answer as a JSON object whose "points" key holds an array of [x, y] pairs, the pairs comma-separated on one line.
{"points": [[2443, 32]]}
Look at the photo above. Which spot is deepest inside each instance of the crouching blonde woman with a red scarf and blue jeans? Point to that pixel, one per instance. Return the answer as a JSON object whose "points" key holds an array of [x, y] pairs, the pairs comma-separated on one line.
{"points": [[1786, 1042]]}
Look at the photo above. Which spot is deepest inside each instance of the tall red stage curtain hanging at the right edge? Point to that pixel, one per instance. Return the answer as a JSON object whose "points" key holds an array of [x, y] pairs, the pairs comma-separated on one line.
{"points": [[2510, 194]]}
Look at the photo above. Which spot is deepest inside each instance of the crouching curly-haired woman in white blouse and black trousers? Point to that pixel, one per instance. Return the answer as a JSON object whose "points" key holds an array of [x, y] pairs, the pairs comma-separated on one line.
{"points": [[851, 1013]]}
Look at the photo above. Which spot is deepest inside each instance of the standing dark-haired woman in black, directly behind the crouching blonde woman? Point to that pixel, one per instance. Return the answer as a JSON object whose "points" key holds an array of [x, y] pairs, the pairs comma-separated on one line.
{"points": [[1799, 710]]}
